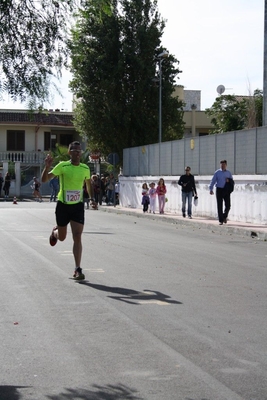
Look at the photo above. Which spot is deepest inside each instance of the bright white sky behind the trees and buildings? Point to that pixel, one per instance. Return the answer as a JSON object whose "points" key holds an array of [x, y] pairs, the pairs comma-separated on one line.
{"points": [[217, 42]]}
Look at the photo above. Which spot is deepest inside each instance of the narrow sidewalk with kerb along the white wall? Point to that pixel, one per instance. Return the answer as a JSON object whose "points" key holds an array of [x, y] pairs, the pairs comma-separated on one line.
{"points": [[232, 227]]}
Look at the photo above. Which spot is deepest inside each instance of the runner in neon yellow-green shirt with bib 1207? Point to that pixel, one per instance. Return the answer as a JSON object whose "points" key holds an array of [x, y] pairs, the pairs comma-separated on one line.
{"points": [[70, 207]]}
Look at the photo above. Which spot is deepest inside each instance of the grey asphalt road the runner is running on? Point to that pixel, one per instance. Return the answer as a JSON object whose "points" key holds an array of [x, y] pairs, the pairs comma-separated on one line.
{"points": [[168, 312]]}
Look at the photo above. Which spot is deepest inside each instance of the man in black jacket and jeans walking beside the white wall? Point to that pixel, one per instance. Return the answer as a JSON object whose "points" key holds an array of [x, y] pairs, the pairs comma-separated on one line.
{"points": [[187, 182]]}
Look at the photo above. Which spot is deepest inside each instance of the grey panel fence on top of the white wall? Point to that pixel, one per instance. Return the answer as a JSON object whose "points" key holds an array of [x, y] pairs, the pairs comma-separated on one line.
{"points": [[245, 152]]}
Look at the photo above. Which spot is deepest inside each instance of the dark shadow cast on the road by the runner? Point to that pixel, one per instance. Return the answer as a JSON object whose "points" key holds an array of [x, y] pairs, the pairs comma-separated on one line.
{"points": [[133, 296]]}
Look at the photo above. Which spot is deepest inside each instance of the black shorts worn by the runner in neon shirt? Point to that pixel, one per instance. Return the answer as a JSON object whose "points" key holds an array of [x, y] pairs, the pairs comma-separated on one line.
{"points": [[69, 212]]}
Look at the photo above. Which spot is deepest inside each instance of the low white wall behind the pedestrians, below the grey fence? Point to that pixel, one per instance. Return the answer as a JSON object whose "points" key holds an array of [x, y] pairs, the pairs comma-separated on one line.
{"points": [[248, 201]]}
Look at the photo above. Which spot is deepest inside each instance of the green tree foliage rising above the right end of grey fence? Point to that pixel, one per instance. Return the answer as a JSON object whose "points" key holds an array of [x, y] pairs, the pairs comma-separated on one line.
{"points": [[230, 113]]}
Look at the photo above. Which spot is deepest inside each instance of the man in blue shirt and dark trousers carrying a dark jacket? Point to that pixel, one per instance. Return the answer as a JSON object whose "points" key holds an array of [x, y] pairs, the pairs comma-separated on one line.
{"points": [[224, 183]]}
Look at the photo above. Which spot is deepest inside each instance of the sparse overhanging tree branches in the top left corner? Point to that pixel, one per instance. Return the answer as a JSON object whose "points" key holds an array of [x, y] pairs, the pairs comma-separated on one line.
{"points": [[32, 44]]}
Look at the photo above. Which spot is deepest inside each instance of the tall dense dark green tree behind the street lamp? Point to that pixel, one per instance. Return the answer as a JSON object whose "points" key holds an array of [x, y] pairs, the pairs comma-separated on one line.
{"points": [[115, 78]]}
